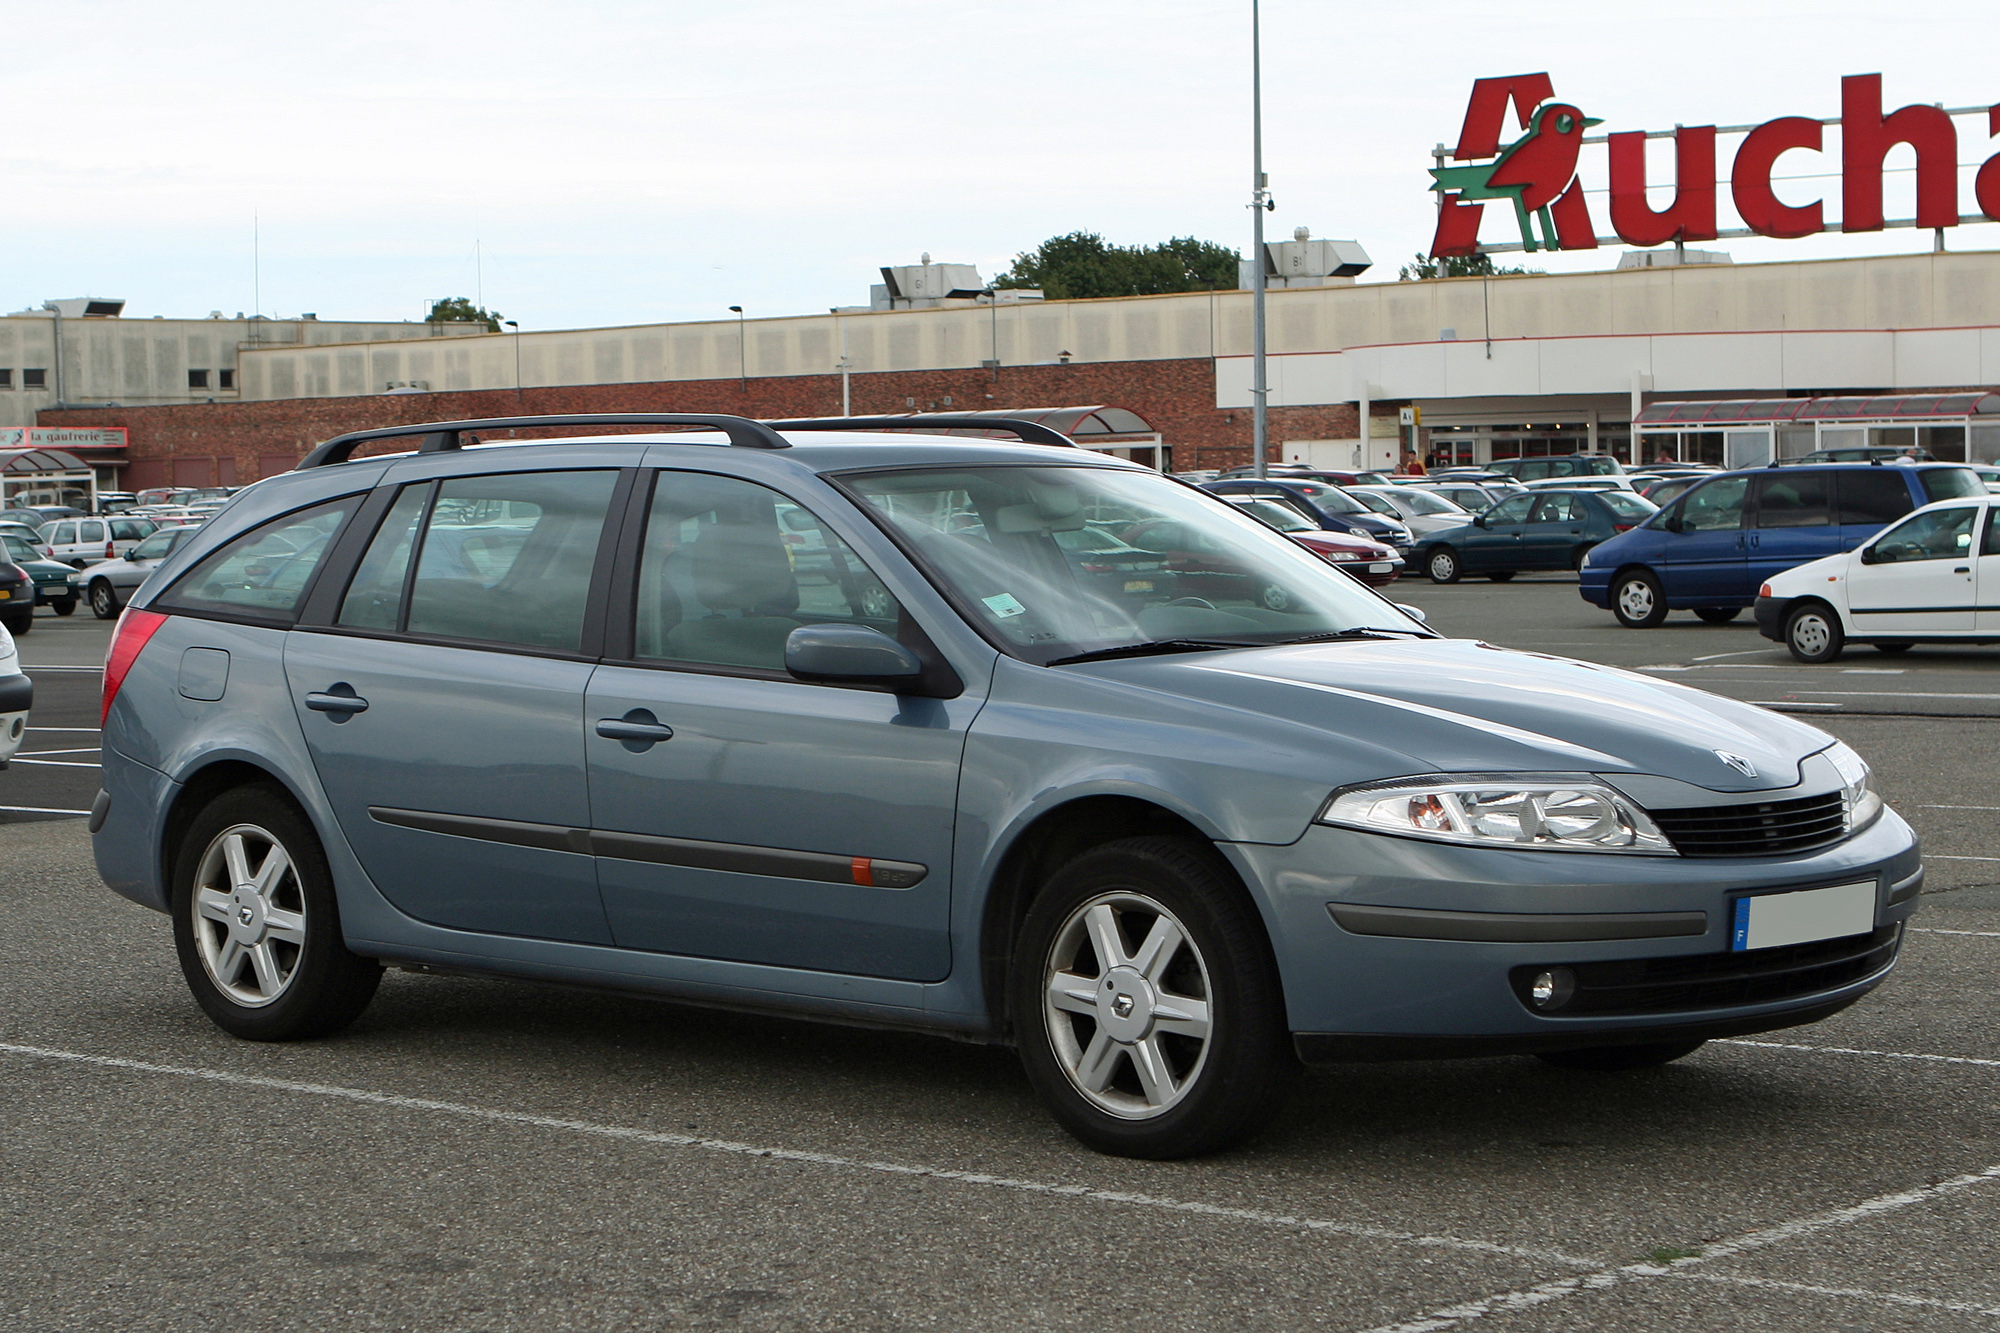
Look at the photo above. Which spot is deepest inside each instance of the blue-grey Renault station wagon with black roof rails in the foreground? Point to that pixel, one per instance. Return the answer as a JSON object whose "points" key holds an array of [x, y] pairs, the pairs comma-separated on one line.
{"points": [[837, 720]]}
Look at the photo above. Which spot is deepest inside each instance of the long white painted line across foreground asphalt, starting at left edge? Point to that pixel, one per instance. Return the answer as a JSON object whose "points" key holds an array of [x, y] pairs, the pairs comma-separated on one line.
{"points": [[801, 1156]]}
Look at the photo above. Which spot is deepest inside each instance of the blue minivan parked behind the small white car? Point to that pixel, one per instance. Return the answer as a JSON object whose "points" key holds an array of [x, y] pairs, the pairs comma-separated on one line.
{"points": [[1715, 545]]}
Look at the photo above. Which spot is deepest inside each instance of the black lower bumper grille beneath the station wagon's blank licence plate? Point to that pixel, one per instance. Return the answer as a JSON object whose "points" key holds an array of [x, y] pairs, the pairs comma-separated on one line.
{"points": [[1719, 980]]}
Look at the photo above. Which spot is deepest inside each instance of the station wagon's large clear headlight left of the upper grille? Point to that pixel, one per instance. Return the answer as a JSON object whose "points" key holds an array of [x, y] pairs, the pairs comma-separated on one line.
{"points": [[1553, 812]]}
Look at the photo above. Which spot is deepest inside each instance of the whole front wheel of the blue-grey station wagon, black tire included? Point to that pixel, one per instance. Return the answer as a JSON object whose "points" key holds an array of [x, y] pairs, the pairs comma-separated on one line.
{"points": [[1225, 1086]]}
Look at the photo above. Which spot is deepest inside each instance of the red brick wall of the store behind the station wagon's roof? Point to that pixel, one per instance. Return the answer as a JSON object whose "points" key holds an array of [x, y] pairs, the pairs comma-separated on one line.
{"points": [[251, 439]]}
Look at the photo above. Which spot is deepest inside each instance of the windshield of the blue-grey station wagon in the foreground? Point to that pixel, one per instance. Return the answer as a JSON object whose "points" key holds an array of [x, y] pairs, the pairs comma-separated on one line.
{"points": [[993, 535]]}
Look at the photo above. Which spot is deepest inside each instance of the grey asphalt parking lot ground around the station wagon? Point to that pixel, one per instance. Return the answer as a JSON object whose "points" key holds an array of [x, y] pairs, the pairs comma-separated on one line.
{"points": [[495, 1156]]}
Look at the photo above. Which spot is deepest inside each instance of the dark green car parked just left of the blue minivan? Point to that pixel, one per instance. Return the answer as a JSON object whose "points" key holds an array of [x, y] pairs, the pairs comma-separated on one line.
{"points": [[1545, 529]]}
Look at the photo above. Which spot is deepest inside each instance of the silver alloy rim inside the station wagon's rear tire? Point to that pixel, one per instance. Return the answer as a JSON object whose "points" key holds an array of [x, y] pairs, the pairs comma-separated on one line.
{"points": [[249, 916]]}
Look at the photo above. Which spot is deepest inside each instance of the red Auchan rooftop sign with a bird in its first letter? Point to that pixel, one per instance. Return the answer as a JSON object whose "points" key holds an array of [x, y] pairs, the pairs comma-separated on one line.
{"points": [[1537, 175]]}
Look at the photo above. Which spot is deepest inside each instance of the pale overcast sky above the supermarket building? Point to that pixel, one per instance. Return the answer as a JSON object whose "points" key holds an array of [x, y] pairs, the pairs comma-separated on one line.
{"points": [[619, 161]]}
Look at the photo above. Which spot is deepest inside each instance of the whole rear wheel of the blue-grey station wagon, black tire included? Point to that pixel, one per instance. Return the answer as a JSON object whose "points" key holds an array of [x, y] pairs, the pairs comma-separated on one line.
{"points": [[297, 990]]}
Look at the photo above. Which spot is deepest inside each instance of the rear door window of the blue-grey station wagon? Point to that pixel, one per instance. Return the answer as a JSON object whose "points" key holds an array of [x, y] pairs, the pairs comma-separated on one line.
{"points": [[499, 559]]}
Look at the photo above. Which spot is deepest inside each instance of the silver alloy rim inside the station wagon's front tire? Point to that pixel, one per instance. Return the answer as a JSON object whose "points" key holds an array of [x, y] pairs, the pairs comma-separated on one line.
{"points": [[1129, 1022]]}
